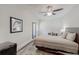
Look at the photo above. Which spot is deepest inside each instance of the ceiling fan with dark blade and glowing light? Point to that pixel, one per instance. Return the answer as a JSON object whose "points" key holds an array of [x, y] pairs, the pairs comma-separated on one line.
{"points": [[50, 11]]}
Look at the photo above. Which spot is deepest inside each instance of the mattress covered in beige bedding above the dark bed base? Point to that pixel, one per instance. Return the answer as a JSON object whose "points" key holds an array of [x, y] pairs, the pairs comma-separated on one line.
{"points": [[56, 42]]}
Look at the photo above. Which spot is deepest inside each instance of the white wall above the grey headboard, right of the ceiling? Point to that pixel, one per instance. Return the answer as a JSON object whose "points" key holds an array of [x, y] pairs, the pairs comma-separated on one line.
{"points": [[71, 19]]}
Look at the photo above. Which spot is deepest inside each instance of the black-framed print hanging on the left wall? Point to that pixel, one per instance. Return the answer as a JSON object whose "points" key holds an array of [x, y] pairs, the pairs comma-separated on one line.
{"points": [[16, 25]]}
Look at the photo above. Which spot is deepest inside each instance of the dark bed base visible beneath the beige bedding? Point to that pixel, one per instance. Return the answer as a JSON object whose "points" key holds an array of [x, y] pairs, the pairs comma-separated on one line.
{"points": [[54, 51]]}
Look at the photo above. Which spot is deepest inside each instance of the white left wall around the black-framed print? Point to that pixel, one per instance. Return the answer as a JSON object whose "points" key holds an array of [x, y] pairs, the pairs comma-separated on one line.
{"points": [[24, 12]]}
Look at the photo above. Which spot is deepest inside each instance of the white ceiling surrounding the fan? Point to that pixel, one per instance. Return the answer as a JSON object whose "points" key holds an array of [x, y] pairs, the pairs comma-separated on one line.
{"points": [[42, 7]]}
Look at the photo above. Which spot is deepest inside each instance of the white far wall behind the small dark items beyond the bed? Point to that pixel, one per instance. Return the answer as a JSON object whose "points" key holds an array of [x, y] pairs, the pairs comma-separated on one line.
{"points": [[53, 25]]}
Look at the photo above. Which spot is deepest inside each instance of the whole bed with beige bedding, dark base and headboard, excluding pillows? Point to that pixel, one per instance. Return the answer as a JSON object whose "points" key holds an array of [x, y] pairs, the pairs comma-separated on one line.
{"points": [[56, 43]]}
